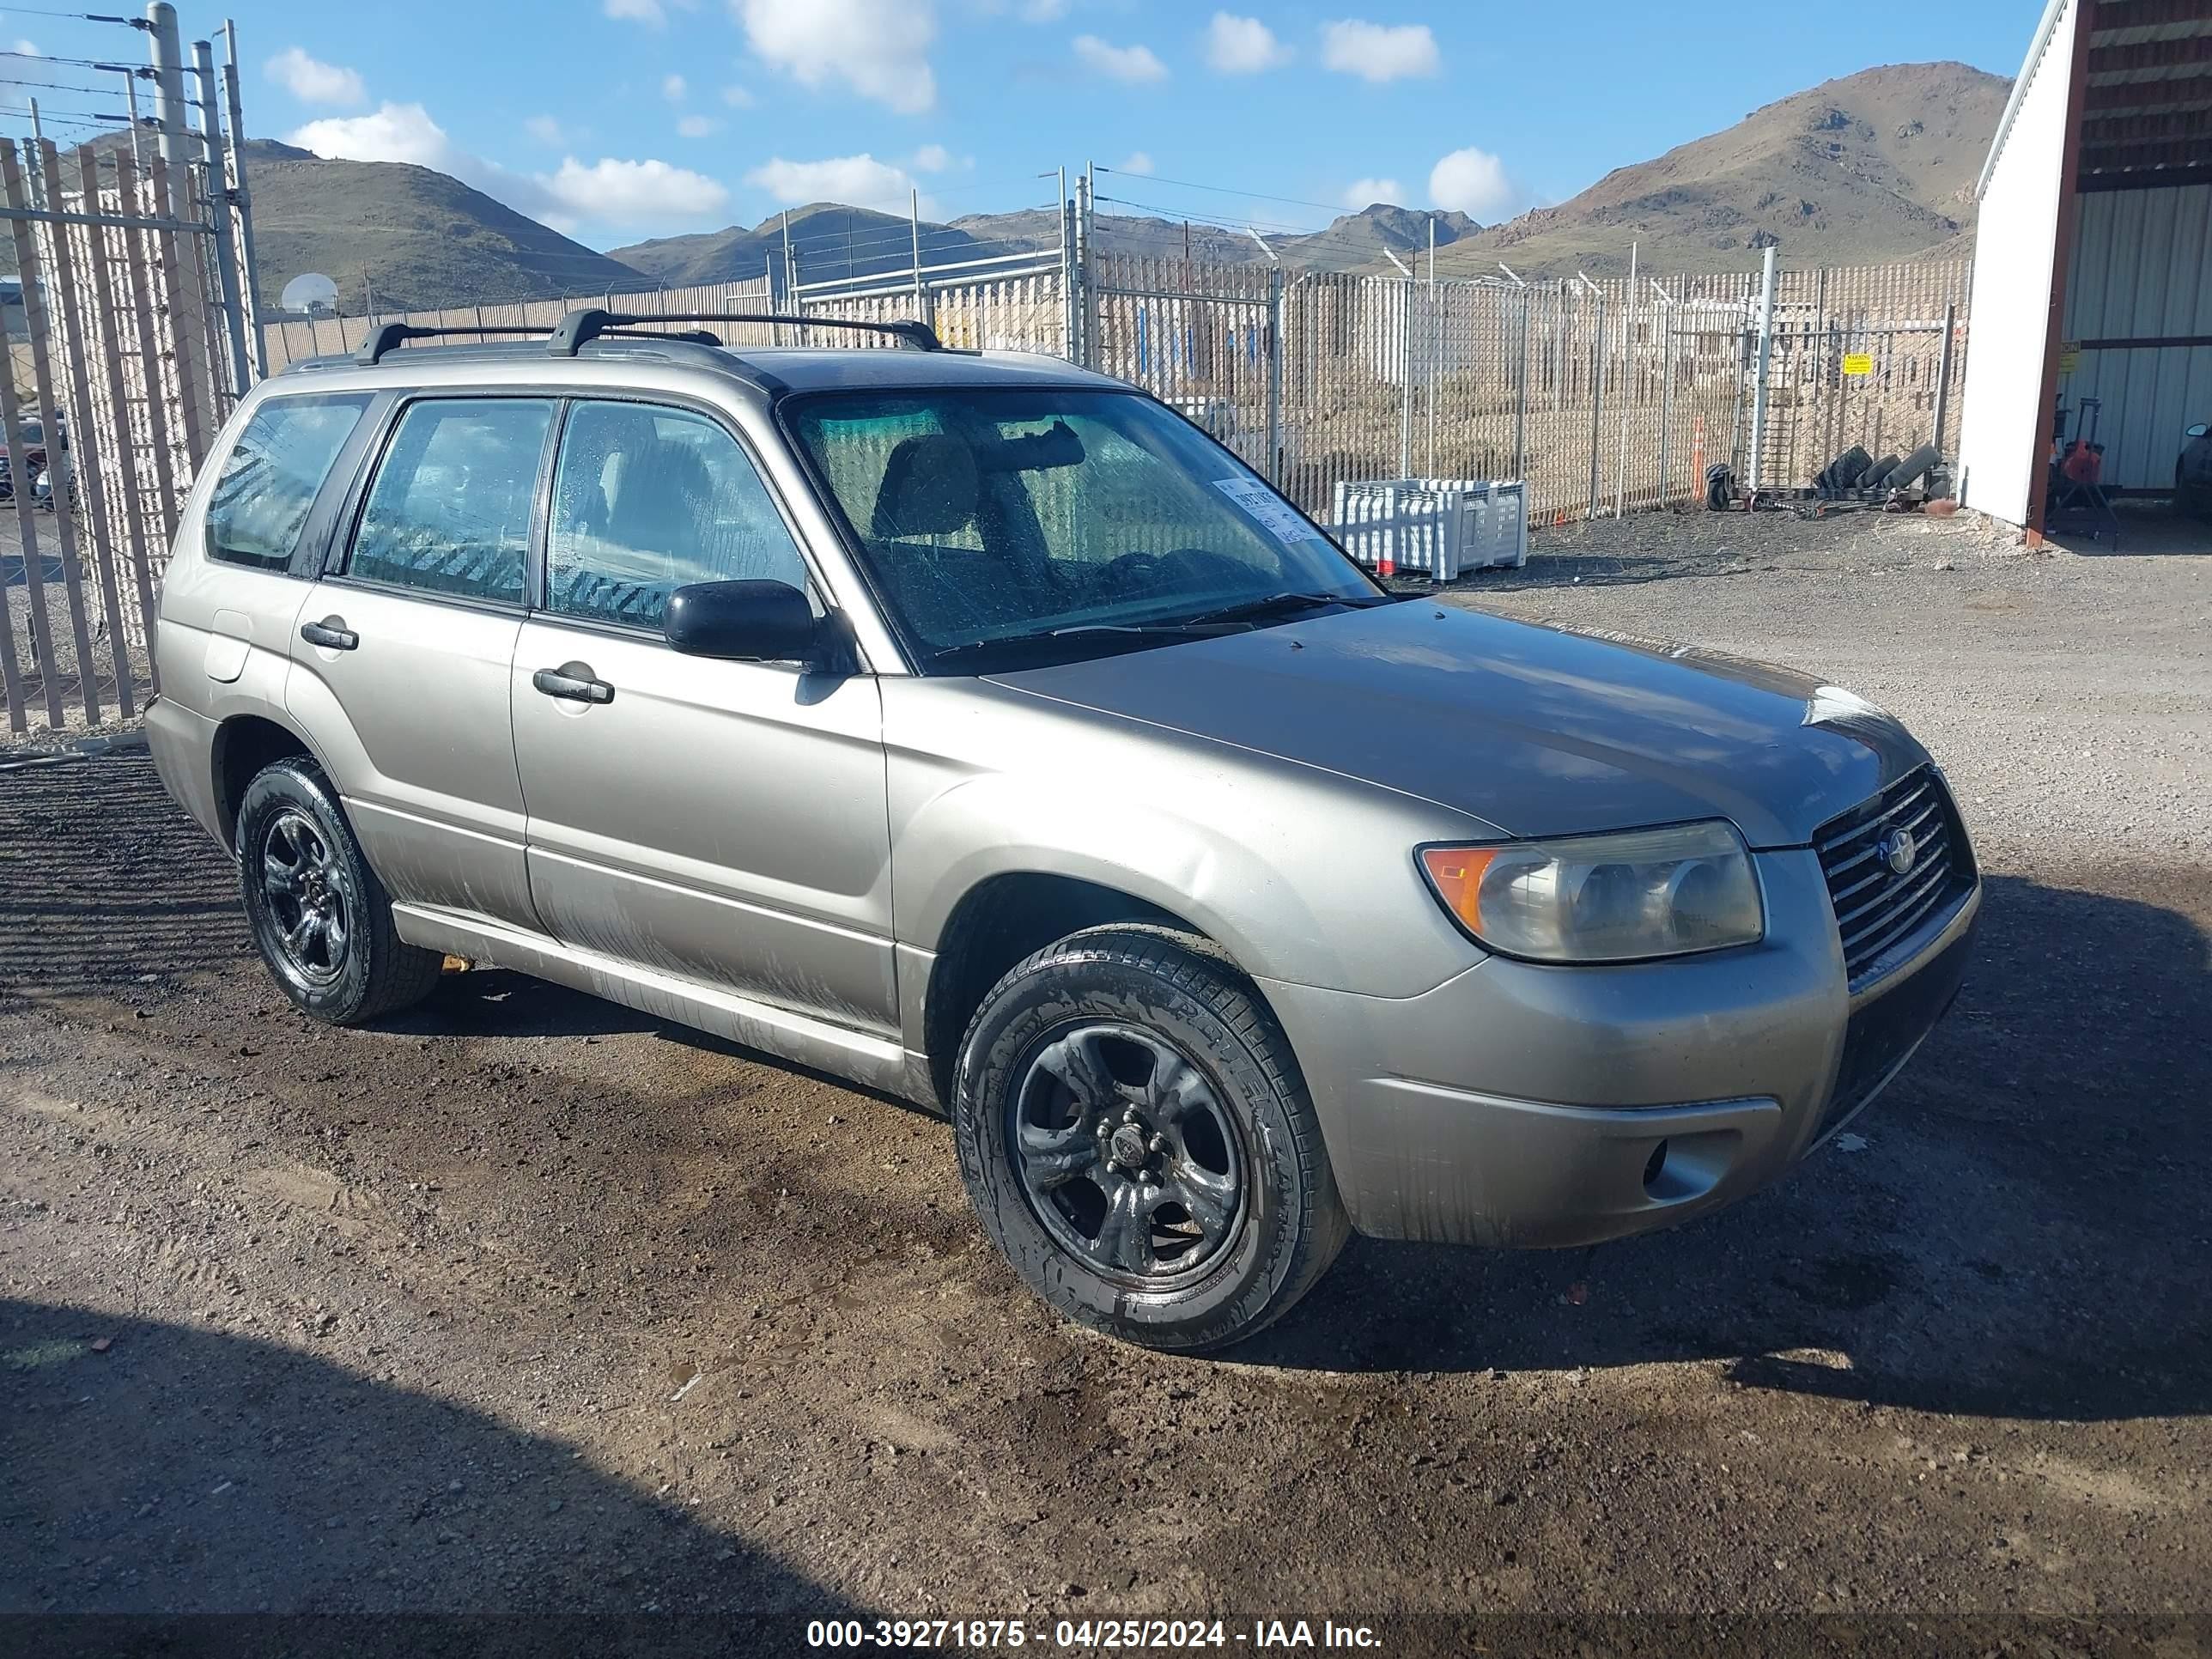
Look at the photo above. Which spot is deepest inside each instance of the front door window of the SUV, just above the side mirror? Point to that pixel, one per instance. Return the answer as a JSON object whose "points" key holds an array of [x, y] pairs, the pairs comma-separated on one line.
{"points": [[649, 501]]}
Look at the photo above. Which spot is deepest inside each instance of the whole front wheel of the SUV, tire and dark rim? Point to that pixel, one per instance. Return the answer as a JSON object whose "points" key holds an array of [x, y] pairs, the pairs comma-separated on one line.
{"points": [[1138, 1140]]}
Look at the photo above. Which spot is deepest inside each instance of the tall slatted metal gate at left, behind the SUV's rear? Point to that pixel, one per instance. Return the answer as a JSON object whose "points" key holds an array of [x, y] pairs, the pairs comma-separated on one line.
{"points": [[109, 404]]}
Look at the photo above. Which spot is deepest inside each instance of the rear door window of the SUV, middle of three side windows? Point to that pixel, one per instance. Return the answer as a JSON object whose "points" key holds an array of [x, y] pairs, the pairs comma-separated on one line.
{"points": [[452, 501]]}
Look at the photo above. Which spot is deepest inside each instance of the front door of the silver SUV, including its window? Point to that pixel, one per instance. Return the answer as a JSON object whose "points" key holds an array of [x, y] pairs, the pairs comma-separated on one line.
{"points": [[718, 822]]}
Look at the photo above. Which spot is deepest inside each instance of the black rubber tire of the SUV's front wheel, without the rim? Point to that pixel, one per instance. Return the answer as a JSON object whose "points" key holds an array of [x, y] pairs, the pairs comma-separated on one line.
{"points": [[1189, 994]]}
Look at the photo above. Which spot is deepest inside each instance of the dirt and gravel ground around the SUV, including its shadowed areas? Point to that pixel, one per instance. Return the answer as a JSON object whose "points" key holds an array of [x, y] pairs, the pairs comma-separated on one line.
{"points": [[528, 1304]]}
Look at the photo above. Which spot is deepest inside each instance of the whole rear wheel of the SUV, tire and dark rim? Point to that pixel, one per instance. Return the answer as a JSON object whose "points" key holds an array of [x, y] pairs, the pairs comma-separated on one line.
{"points": [[320, 917]]}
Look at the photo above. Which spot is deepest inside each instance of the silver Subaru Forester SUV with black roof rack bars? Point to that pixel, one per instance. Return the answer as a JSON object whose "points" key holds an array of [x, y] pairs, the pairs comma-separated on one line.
{"points": [[977, 729]]}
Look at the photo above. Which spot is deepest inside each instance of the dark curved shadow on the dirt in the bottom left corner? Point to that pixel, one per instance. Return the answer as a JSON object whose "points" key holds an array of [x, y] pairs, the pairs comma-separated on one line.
{"points": [[163, 1470]]}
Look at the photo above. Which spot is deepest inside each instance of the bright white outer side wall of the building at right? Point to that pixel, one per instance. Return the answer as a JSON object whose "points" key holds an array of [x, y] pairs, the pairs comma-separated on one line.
{"points": [[2005, 424]]}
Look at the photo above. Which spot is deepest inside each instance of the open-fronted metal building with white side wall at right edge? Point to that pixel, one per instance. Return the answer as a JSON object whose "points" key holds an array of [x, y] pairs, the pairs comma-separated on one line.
{"points": [[2094, 255]]}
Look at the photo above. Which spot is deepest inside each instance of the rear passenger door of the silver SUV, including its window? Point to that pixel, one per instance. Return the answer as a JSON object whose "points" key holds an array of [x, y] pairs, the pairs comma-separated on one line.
{"points": [[406, 651]]}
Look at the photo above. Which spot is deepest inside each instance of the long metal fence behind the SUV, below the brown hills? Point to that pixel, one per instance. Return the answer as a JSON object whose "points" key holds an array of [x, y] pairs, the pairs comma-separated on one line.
{"points": [[1603, 397]]}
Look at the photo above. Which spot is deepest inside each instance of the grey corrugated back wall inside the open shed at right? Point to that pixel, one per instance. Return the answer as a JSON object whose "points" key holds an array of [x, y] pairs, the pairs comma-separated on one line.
{"points": [[2142, 269]]}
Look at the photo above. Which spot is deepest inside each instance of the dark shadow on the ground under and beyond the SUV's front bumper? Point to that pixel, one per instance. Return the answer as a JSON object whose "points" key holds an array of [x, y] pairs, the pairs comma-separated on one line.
{"points": [[2014, 1231]]}
